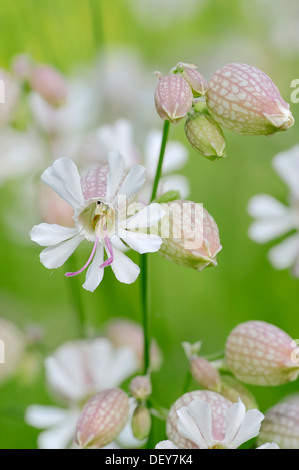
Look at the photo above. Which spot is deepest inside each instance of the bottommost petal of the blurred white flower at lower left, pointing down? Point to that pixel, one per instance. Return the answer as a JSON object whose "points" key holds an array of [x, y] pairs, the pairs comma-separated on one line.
{"points": [[59, 437]]}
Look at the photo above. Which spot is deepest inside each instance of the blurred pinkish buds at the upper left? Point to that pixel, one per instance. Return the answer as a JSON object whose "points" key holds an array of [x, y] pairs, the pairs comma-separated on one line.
{"points": [[43, 79]]}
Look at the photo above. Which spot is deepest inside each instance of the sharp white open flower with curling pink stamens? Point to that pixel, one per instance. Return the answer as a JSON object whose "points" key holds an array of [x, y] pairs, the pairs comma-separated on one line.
{"points": [[99, 202]]}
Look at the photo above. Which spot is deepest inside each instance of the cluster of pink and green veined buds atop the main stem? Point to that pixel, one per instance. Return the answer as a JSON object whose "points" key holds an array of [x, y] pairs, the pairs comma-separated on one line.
{"points": [[239, 97]]}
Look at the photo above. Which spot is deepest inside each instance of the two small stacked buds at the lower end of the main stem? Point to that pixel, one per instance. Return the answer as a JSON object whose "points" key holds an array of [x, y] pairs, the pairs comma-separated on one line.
{"points": [[141, 389]]}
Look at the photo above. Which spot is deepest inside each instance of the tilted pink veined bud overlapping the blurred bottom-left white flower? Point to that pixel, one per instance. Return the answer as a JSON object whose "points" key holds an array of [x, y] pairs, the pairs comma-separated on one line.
{"points": [[102, 419]]}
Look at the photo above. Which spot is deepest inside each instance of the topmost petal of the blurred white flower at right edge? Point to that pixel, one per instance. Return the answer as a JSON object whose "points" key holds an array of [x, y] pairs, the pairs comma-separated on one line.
{"points": [[287, 166]]}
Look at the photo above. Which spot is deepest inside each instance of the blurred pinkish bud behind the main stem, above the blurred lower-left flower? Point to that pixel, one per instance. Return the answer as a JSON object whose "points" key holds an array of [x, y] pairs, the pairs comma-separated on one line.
{"points": [[127, 333]]}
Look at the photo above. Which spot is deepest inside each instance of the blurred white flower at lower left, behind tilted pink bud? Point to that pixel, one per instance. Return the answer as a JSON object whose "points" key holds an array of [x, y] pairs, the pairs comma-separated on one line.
{"points": [[74, 372]]}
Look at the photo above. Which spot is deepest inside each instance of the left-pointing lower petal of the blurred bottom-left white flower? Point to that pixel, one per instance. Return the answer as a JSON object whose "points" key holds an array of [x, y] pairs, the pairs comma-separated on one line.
{"points": [[42, 417]]}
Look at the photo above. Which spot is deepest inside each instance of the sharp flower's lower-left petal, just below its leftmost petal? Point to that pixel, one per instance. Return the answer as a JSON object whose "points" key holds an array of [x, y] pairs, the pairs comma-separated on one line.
{"points": [[55, 256]]}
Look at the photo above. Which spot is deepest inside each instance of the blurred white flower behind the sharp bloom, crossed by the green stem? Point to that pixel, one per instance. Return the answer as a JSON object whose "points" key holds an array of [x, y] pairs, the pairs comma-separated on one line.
{"points": [[120, 137]]}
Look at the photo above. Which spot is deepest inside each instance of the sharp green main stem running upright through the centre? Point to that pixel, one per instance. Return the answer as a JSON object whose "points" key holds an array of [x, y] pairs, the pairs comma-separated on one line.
{"points": [[144, 262]]}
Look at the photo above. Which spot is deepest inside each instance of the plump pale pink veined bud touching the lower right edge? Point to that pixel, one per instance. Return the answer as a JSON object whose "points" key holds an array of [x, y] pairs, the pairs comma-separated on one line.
{"points": [[259, 353]]}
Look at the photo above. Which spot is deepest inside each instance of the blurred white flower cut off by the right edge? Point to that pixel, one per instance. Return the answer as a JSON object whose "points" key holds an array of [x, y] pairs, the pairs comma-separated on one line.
{"points": [[274, 219]]}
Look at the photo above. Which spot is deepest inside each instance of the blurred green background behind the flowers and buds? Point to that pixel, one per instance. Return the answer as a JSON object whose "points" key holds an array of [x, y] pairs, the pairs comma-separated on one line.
{"points": [[129, 40]]}
